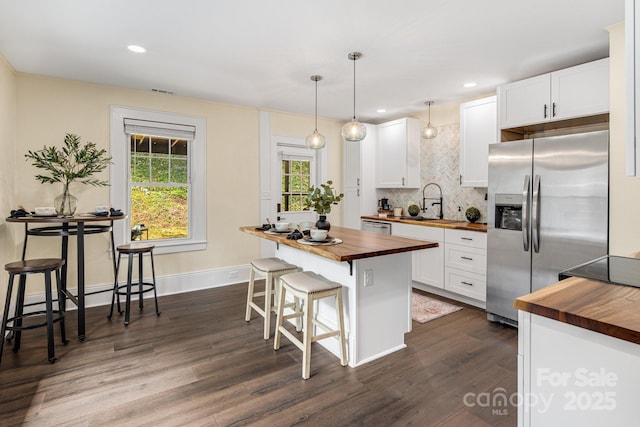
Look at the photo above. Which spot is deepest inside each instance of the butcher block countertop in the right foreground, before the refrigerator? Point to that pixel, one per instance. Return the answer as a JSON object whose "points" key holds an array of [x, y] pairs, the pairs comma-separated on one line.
{"points": [[610, 309]]}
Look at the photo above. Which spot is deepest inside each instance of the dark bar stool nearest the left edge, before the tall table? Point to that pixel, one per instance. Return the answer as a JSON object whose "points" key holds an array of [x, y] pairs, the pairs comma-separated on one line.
{"points": [[23, 269]]}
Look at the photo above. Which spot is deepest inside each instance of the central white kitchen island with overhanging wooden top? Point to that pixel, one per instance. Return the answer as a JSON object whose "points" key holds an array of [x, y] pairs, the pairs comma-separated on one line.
{"points": [[375, 270]]}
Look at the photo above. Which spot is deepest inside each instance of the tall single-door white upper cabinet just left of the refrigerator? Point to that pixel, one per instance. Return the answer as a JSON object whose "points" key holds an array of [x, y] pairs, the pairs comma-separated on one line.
{"points": [[478, 129]]}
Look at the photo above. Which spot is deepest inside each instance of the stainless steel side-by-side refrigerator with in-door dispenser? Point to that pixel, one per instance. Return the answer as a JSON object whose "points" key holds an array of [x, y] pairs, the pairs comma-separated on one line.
{"points": [[548, 210]]}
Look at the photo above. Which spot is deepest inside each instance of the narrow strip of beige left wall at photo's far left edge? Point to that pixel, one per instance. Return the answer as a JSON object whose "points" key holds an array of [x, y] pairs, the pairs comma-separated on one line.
{"points": [[7, 165]]}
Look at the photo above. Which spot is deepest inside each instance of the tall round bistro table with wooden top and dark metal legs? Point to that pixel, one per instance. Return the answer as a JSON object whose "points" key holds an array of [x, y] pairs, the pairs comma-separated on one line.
{"points": [[58, 226]]}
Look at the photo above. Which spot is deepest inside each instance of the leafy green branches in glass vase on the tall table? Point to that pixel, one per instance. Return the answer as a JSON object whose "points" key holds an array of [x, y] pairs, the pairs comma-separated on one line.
{"points": [[73, 162]]}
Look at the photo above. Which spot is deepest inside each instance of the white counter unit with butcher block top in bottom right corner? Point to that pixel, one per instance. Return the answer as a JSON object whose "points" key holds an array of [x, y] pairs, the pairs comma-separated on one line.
{"points": [[578, 354]]}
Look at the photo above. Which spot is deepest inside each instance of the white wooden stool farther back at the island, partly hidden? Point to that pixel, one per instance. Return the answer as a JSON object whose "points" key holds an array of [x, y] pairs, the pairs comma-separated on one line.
{"points": [[271, 269]]}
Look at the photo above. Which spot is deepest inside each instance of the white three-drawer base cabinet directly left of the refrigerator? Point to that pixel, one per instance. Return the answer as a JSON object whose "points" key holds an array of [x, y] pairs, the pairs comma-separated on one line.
{"points": [[466, 263]]}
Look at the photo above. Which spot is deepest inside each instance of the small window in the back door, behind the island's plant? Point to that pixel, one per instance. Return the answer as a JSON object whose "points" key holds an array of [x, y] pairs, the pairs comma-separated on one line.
{"points": [[296, 180]]}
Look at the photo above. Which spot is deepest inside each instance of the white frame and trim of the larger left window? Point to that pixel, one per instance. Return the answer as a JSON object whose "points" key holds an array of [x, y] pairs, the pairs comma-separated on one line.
{"points": [[120, 170]]}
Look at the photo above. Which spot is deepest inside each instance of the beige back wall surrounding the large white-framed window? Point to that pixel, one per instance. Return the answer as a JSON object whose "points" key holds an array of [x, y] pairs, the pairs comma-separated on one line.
{"points": [[47, 108]]}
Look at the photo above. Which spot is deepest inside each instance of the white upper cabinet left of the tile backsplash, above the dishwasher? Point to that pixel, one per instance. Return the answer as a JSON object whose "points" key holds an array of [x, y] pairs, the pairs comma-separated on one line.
{"points": [[398, 154]]}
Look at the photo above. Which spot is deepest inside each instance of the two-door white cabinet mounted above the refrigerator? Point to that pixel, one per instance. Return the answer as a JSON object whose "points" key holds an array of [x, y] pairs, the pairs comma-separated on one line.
{"points": [[573, 92]]}
